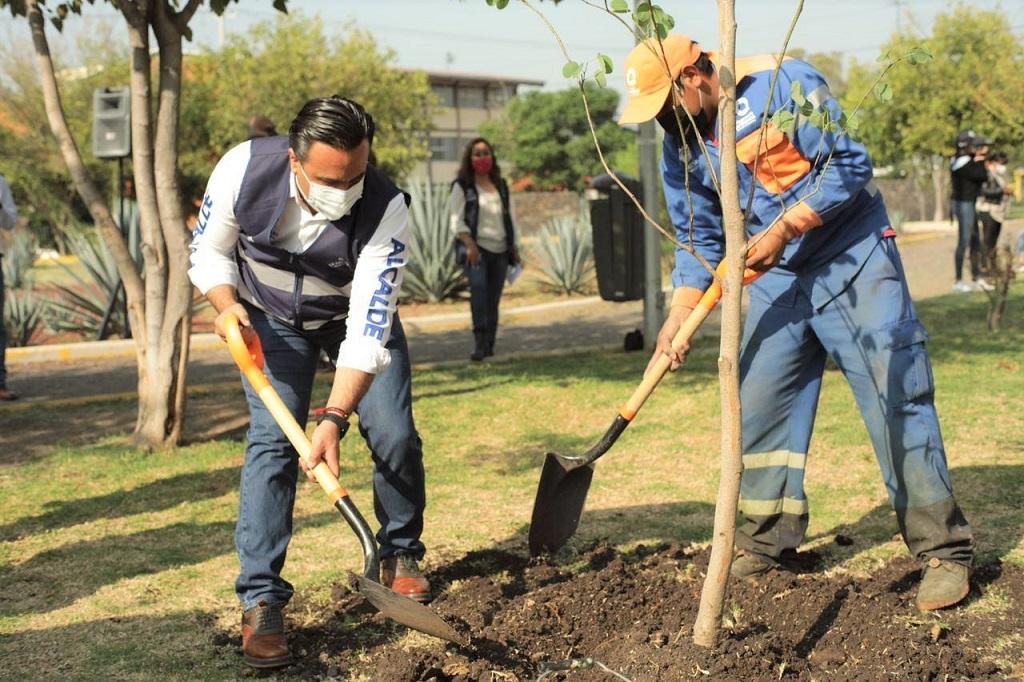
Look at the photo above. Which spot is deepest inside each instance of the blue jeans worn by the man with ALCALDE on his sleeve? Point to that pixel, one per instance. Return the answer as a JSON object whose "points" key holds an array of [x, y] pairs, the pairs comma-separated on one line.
{"points": [[269, 477]]}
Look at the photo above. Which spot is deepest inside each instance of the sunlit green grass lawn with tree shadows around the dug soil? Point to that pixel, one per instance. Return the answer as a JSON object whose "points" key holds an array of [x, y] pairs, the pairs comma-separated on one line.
{"points": [[118, 565]]}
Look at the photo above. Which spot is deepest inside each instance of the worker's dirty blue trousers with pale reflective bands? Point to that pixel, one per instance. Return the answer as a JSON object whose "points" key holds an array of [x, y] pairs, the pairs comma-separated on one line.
{"points": [[872, 332]]}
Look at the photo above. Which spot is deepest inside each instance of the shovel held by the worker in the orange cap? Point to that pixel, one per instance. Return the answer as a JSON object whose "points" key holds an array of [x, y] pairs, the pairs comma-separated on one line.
{"points": [[566, 480]]}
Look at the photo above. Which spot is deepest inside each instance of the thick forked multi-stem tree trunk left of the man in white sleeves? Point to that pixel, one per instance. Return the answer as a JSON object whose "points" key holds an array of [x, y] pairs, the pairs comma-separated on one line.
{"points": [[160, 306]]}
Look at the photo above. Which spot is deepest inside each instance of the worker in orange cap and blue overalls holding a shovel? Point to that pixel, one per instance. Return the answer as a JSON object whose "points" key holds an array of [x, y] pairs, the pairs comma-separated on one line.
{"points": [[834, 287]]}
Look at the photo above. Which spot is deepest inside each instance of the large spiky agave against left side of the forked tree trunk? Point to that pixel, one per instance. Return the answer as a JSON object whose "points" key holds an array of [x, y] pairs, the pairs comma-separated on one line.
{"points": [[81, 308]]}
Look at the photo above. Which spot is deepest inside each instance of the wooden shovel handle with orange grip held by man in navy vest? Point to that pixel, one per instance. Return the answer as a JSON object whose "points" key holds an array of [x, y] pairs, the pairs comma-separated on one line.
{"points": [[250, 361]]}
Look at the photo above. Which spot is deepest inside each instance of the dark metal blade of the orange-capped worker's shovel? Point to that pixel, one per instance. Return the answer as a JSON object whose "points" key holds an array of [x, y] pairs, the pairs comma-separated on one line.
{"points": [[559, 506]]}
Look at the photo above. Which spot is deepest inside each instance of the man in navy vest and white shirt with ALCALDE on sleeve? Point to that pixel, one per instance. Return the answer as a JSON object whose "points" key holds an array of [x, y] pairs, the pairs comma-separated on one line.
{"points": [[307, 243]]}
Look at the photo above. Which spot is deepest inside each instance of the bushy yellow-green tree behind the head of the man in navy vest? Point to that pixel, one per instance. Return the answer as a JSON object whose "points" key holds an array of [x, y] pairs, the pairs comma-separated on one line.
{"points": [[281, 64]]}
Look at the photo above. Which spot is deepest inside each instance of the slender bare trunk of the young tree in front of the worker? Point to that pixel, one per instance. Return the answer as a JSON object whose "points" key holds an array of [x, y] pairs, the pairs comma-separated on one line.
{"points": [[706, 630]]}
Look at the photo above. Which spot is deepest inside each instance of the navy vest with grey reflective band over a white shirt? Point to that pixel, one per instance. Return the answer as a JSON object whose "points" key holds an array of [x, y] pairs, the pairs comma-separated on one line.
{"points": [[311, 289]]}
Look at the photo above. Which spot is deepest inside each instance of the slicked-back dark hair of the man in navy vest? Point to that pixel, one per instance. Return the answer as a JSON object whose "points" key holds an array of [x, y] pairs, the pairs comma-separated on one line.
{"points": [[335, 121]]}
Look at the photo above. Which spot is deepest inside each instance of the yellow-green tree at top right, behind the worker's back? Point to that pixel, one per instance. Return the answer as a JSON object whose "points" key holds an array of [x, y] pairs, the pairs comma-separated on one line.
{"points": [[973, 83]]}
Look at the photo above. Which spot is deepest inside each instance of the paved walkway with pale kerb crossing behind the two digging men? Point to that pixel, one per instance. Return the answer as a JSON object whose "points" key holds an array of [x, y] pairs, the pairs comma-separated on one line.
{"points": [[571, 325]]}
